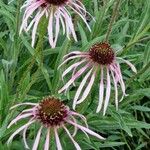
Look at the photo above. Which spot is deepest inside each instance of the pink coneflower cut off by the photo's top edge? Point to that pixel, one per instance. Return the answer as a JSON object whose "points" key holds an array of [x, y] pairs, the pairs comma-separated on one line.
{"points": [[57, 12]]}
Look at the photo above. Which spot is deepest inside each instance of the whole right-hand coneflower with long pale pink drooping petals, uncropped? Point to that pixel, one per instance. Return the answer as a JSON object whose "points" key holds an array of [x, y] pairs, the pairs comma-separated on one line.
{"points": [[100, 57]]}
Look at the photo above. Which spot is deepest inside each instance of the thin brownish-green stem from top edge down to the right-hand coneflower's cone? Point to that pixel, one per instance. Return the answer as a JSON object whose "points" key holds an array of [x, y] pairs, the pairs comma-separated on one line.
{"points": [[114, 15]]}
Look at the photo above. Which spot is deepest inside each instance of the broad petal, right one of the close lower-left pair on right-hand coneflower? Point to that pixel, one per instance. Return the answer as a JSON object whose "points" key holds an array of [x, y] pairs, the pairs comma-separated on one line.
{"points": [[87, 89]]}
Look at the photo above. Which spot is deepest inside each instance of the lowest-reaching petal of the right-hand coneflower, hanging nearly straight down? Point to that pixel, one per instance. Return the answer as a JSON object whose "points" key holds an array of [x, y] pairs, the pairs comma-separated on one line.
{"points": [[108, 89]]}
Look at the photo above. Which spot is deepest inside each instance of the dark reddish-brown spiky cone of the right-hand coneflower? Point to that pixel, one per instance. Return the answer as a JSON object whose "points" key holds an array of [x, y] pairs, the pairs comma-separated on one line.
{"points": [[102, 53]]}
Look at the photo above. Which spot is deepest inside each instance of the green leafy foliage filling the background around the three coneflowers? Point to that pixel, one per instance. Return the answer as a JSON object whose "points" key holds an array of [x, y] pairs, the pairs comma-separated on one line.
{"points": [[28, 74]]}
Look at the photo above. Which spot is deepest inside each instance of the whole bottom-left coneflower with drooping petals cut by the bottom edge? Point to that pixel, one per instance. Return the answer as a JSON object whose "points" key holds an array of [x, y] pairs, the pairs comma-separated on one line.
{"points": [[52, 115]]}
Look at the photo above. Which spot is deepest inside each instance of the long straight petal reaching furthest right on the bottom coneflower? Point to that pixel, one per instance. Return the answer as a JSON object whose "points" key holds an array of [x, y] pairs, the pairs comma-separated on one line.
{"points": [[86, 130]]}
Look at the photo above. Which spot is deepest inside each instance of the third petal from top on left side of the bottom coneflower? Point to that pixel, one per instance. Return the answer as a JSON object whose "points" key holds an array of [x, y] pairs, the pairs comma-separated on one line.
{"points": [[18, 130]]}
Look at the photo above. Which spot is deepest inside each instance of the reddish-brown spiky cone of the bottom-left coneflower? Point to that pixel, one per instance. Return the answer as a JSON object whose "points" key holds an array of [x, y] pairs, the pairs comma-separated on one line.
{"points": [[52, 112]]}
